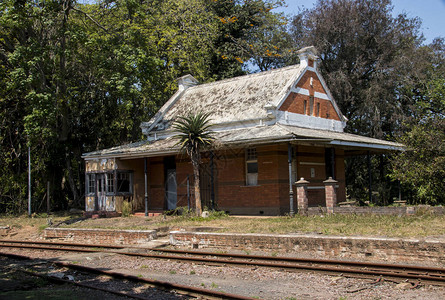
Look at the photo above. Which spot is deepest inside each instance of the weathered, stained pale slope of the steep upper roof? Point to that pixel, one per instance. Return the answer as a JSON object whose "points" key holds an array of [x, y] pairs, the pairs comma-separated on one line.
{"points": [[236, 99]]}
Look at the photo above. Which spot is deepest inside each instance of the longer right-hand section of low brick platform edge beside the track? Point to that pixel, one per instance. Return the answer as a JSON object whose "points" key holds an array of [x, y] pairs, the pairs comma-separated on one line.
{"points": [[330, 246]]}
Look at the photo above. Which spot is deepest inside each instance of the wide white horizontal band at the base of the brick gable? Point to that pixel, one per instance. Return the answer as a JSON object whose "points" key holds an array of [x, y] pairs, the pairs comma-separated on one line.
{"points": [[293, 119]]}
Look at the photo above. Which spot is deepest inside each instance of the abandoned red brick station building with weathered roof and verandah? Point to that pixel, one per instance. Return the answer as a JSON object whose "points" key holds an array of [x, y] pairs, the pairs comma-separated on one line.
{"points": [[270, 128]]}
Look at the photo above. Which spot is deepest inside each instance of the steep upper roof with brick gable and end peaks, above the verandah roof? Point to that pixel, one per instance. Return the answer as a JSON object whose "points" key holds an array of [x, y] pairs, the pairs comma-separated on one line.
{"points": [[253, 99]]}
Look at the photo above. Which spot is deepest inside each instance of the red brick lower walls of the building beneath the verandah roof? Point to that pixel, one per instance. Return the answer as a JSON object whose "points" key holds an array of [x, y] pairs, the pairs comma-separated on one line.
{"points": [[270, 196]]}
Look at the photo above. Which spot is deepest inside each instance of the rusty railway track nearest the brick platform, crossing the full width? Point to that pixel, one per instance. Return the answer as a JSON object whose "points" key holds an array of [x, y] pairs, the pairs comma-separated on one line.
{"points": [[432, 275]]}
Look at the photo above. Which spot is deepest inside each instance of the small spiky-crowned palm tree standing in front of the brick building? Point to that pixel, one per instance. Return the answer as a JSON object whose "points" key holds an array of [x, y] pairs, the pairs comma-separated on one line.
{"points": [[194, 135]]}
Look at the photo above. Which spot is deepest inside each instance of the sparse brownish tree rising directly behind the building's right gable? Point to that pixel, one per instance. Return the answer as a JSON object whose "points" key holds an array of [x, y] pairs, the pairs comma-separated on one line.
{"points": [[371, 62]]}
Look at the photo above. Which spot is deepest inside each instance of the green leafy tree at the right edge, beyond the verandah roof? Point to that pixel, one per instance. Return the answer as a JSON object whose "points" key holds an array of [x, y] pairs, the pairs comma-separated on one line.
{"points": [[421, 168]]}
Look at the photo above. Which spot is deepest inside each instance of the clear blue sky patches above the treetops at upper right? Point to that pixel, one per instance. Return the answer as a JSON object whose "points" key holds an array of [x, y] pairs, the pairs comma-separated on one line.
{"points": [[432, 13]]}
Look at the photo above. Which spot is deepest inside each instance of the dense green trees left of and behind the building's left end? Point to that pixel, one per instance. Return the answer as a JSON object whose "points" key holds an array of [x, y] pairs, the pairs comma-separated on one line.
{"points": [[79, 77]]}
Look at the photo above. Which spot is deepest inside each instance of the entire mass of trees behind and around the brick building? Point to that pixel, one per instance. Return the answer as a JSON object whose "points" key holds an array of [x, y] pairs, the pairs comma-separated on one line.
{"points": [[78, 77]]}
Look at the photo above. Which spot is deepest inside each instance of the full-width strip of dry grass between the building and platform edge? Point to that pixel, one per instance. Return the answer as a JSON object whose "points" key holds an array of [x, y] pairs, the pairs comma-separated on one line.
{"points": [[422, 225]]}
